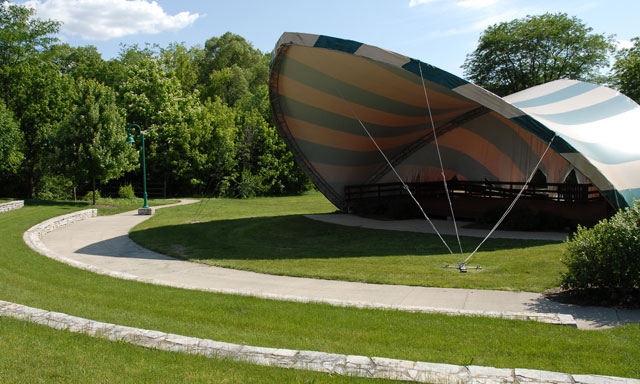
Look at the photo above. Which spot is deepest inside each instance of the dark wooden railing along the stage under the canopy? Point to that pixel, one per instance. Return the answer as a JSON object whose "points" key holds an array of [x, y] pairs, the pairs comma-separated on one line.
{"points": [[487, 189]]}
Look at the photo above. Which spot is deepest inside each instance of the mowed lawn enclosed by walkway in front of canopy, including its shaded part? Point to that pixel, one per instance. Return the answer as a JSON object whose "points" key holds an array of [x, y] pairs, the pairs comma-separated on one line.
{"points": [[271, 235]]}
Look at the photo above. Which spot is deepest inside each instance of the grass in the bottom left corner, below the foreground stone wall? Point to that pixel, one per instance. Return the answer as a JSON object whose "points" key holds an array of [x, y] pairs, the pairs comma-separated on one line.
{"points": [[37, 354]]}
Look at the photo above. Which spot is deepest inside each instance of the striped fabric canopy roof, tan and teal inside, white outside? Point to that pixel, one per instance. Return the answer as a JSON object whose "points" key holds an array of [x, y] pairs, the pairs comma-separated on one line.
{"points": [[326, 93]]}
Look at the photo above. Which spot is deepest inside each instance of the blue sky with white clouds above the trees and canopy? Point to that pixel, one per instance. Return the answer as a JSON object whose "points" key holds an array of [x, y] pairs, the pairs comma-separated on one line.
{"points": [[438, 32]]}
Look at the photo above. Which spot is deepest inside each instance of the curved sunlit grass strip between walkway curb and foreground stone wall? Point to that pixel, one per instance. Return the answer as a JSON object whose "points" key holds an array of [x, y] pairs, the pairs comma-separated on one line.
{"points": [[31, 279]]}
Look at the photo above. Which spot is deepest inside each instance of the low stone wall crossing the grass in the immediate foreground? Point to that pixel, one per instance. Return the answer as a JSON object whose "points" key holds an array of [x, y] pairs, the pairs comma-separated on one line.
{"points": [[353, 365]]}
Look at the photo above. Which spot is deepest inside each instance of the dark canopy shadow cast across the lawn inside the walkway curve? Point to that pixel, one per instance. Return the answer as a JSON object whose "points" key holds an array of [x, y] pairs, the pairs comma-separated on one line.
{"points": [[297, 237]]}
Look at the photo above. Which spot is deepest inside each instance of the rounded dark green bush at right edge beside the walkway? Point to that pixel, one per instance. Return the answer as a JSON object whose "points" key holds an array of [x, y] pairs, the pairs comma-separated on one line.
{"points": [[605, 260]]}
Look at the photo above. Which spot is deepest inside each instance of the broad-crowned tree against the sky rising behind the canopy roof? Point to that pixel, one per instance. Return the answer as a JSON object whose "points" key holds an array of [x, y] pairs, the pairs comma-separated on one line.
{"points": [[516, 55]]}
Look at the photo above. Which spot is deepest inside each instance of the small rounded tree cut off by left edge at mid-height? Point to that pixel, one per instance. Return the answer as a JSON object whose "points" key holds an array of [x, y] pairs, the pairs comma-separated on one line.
{"points": [[11, 142]]}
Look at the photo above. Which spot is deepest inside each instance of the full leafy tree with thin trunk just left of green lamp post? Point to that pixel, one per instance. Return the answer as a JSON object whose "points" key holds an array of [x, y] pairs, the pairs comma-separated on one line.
{"points": [[91, 141]]}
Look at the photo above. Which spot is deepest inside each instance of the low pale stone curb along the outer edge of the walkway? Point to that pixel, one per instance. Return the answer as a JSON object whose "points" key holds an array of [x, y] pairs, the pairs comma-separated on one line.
{"points": [[32, 237]]}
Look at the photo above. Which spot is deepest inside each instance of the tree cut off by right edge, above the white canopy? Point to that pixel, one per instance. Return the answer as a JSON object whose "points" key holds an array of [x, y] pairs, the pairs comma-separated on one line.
{"points": [[626, 71]]}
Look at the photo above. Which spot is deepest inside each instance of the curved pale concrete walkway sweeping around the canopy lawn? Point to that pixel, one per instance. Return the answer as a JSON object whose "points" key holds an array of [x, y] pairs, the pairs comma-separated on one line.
{"points": [[103, 242]]}
